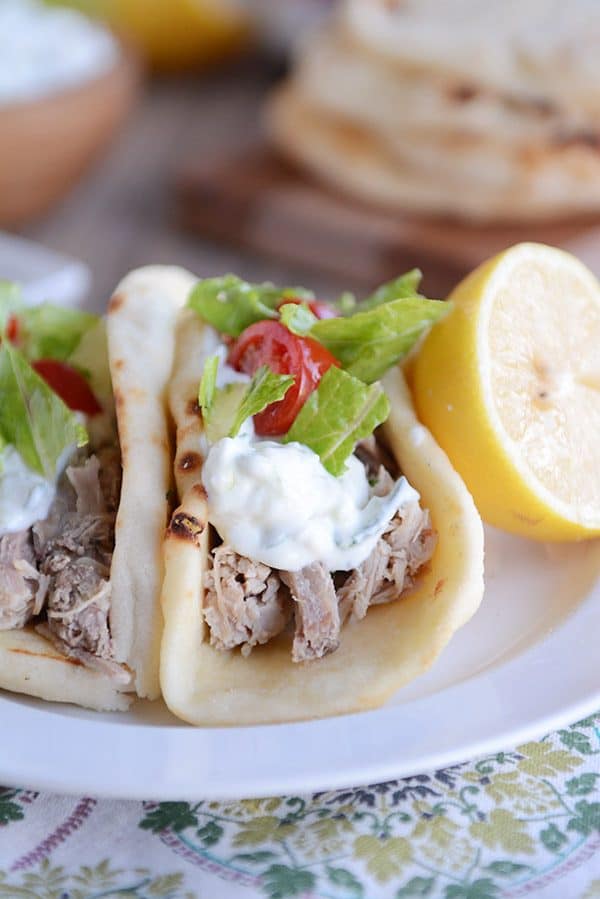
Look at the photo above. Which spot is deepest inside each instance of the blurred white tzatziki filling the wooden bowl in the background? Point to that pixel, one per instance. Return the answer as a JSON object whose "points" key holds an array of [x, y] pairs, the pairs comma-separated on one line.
{"points": [[44, 50]]}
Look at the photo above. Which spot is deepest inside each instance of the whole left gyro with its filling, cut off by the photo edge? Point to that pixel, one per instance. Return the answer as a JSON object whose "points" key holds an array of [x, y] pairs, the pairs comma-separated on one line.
{"points": [[85, 469]]}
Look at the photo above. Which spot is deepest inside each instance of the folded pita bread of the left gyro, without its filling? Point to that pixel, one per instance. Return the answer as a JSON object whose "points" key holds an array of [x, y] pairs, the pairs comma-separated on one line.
{"points": [[140, 327]]}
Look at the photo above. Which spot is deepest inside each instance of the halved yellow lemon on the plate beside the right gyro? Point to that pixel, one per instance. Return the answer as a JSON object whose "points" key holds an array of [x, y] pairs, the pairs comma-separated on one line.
{"points": [[509, 384]]}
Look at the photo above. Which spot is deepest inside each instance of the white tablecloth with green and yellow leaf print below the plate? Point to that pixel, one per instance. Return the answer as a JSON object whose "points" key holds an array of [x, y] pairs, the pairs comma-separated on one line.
{"points": [[522, 822]]}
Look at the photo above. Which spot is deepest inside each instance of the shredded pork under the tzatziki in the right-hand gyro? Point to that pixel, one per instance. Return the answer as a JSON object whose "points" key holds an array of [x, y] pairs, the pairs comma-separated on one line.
{"points": [[247, 603]]}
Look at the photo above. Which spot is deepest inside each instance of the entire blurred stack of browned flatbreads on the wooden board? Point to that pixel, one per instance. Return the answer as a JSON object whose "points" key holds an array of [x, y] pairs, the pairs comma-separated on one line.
{"points": [[483, 111]]}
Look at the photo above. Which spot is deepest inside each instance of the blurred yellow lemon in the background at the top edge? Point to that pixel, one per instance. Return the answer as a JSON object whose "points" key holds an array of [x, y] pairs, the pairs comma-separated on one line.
{"points": [[173, 34]]}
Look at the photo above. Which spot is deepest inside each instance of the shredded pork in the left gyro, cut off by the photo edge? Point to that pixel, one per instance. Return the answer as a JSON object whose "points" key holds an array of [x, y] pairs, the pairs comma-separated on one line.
{"points": [[62, 564]]}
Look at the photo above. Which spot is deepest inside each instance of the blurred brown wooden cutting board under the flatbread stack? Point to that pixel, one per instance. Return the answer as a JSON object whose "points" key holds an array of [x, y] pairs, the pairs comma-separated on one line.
{"points": [[255, 200]]}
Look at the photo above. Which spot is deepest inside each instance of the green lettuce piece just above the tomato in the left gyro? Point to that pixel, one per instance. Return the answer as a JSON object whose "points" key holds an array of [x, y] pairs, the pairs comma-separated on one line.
{"points": [[53, 332]]}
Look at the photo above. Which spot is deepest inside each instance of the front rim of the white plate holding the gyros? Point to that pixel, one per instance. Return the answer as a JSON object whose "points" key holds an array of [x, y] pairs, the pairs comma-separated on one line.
{"points": [[348, 755]]}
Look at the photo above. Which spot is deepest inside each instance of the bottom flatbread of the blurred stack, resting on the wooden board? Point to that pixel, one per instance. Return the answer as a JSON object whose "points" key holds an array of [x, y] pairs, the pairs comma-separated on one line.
{"points": [[413, 177]]}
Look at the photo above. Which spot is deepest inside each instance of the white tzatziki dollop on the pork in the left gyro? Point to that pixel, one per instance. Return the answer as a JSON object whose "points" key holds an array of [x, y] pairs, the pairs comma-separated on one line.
{"points": [[25, 495]]}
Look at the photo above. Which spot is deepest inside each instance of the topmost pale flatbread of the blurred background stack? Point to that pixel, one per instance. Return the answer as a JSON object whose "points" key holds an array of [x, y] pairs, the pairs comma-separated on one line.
{"points": [[536, 48]]}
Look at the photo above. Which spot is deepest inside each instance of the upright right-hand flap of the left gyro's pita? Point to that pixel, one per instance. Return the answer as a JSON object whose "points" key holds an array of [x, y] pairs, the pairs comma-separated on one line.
{"points": [[141, 332]]}
